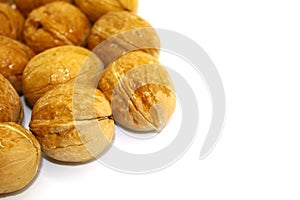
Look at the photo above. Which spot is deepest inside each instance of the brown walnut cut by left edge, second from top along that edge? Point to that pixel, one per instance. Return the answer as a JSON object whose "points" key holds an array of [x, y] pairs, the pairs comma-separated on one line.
{"points": [[14, 56]]}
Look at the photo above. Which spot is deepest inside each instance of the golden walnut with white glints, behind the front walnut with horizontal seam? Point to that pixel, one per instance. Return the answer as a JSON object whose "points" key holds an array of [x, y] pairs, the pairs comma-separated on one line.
{"points": [[56, 66]]}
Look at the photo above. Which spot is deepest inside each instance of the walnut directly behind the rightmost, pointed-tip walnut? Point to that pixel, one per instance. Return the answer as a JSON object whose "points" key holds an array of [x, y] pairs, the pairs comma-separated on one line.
{"points": [[116, 33]]}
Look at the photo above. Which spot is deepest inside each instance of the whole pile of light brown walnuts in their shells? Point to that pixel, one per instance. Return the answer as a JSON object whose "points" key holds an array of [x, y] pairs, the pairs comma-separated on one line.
{"points": [[83, 66]]}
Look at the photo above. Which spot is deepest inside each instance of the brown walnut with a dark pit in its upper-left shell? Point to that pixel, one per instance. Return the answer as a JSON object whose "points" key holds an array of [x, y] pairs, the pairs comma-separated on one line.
{"points": [[56, 24]]}
